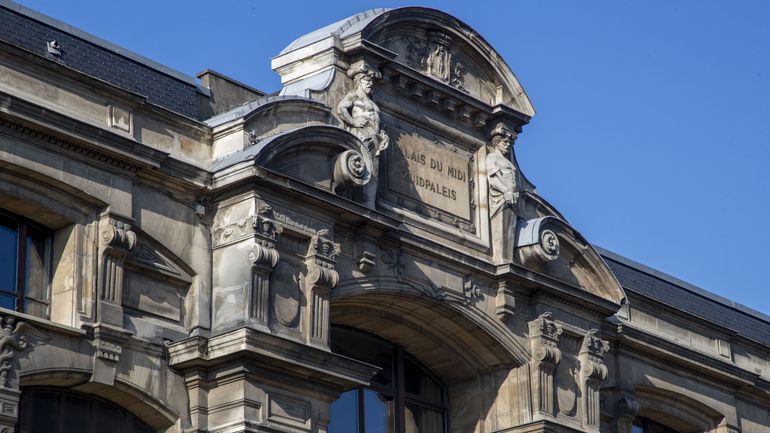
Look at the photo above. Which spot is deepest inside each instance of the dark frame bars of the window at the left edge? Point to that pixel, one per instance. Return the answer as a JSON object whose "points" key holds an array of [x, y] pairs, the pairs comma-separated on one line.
{"points": [[20, 294]]}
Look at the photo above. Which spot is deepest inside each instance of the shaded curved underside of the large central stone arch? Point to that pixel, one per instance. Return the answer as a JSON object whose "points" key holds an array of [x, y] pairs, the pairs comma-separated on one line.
{"points": [[455, 341]]}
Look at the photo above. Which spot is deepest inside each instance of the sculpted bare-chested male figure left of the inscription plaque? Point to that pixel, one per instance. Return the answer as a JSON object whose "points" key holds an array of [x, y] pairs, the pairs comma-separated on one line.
{"points": [[360, 113]]}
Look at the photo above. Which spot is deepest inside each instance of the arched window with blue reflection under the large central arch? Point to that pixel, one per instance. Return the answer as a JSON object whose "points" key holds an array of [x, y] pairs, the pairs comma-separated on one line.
{"points": [[404, 397]]}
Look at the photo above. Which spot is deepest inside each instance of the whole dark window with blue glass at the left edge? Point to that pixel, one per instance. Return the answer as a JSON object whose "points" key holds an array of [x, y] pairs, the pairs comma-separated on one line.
{"points": [[24, 265]]}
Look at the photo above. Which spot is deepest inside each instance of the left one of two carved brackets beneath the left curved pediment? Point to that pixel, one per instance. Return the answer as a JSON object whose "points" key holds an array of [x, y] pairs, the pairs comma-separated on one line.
{"points": [[263, 258]]}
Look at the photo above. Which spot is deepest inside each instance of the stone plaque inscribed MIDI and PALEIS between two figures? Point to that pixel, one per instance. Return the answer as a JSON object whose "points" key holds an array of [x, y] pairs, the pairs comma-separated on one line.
{"points": [[431, 173]]}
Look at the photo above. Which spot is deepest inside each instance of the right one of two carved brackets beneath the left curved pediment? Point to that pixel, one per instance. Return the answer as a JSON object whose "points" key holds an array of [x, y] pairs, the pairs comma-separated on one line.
{"points": [[321, 279]]}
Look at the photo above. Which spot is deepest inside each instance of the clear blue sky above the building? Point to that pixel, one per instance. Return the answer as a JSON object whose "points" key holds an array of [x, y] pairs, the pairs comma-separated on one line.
{"points": [[652, 132]]}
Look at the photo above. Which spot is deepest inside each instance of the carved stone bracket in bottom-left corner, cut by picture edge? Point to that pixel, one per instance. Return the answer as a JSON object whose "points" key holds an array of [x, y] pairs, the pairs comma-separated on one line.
{"points": [[14, 338]]}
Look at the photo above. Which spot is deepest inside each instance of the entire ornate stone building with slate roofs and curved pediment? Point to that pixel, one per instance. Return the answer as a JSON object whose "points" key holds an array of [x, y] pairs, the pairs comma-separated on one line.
{"points": [[359, 252]]}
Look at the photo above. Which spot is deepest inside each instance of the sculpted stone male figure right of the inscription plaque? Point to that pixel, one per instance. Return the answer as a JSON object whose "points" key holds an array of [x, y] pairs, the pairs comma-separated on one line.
{"points": [[501, 172]]}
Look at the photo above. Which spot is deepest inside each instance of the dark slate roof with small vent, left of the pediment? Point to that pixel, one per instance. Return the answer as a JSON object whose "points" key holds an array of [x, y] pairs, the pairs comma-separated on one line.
{"points": [[95, 57]]}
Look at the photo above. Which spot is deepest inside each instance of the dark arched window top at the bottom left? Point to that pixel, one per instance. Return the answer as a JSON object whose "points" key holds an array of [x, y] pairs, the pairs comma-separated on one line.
{"points": [[59, 411]]}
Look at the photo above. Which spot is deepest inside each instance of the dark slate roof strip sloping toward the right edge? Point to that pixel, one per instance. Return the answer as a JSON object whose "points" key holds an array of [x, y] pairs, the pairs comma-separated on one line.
{"points": [[671, 291]]}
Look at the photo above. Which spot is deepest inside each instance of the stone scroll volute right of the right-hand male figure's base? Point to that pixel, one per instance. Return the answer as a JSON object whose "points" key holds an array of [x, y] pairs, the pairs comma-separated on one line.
{"points": [[536, 244]]}
